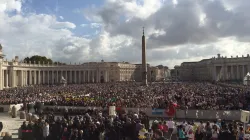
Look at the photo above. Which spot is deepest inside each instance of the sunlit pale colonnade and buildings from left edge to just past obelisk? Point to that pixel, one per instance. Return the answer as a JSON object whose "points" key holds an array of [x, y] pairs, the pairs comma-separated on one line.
{"points": [[17, 74]]}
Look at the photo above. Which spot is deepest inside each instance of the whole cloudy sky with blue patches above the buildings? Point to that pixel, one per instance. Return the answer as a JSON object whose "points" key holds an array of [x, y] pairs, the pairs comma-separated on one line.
{"points": [[91, 30]]}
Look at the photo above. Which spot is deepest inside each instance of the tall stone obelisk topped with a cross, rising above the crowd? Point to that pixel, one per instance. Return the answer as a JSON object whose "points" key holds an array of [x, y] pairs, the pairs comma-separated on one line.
{"points": [[144, 62]]}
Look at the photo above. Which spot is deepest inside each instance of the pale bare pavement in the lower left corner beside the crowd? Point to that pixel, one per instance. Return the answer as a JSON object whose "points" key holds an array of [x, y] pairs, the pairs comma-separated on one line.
{"points": [[10, 124]]}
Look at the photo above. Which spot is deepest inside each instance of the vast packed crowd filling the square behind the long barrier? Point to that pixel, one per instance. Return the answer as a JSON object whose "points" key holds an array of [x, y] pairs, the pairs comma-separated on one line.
{"points": [[186, 95]]}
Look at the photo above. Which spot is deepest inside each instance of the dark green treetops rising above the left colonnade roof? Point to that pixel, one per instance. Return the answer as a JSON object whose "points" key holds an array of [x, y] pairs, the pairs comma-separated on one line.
{"points": [[36, 58]]}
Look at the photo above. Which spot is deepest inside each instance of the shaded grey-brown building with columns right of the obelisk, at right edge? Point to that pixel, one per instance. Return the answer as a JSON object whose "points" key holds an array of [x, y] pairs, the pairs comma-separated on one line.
{"points": [[214, 69]]}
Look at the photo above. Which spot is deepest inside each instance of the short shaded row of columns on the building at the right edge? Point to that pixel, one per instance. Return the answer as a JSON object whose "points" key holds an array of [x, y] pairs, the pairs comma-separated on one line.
{"points": [[231, 72]]}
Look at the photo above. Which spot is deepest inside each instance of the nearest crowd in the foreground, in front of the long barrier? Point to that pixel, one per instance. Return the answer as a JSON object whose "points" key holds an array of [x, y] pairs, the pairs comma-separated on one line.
{"points": [[98, 125]]}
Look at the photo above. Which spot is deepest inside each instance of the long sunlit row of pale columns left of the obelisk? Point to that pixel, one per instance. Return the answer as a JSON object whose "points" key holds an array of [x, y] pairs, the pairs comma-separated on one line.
{"points": [[14, 78]]}
